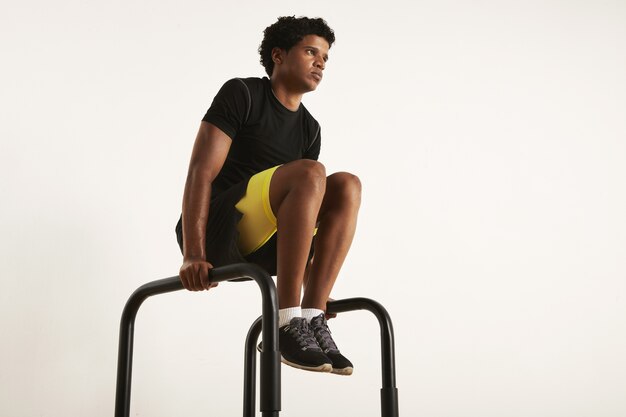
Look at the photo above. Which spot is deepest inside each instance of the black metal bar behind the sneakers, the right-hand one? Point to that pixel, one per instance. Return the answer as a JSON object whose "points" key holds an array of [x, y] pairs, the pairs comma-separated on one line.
{"points": [[388, 392]]}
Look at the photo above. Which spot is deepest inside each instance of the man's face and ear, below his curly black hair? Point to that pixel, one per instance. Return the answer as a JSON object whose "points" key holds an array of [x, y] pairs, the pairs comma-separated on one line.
{"points": [[302, 68]]}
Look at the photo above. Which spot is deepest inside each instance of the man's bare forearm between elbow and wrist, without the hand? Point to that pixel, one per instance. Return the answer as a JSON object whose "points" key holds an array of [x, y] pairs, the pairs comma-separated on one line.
{"points": [[196, 201]]}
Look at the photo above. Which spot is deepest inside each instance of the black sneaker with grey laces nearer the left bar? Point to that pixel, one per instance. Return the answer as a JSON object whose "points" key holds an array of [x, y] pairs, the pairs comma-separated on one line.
{"points": [[298, 347]]}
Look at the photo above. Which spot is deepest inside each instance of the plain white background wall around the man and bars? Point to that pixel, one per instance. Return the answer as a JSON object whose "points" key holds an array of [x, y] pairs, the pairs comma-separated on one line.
{"points": [[490, 138]]}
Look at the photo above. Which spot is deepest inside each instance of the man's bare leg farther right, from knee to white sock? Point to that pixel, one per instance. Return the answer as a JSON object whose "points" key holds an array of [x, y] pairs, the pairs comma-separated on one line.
{"points": [[337, 225]]}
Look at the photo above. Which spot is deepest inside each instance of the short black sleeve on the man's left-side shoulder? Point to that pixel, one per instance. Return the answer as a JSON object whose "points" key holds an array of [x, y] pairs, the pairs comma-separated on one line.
{"points": [[230, 108]]}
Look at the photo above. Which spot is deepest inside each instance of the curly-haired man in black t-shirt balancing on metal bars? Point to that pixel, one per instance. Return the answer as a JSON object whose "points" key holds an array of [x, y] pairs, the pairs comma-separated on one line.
{"points": [[255, 192]]}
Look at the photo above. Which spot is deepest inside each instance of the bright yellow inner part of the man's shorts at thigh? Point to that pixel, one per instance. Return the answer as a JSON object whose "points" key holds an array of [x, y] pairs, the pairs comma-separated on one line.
{"points": [[258, 223]]}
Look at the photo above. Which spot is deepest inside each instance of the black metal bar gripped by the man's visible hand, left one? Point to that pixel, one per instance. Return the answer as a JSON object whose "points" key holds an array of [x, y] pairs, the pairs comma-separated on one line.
{"points": [[270, 362]]}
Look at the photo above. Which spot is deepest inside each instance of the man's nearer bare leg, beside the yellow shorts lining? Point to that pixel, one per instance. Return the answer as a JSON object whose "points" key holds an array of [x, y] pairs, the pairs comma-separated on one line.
{"points": [[296, 194]]}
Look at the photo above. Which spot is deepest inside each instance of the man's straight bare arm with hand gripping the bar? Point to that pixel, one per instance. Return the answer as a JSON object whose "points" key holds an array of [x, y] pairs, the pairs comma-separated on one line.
{"points": [[207, 158]]}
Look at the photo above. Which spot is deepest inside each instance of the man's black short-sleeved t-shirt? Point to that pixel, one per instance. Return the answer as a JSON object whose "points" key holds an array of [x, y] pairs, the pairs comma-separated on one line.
{"points": [[264, 132]]}
